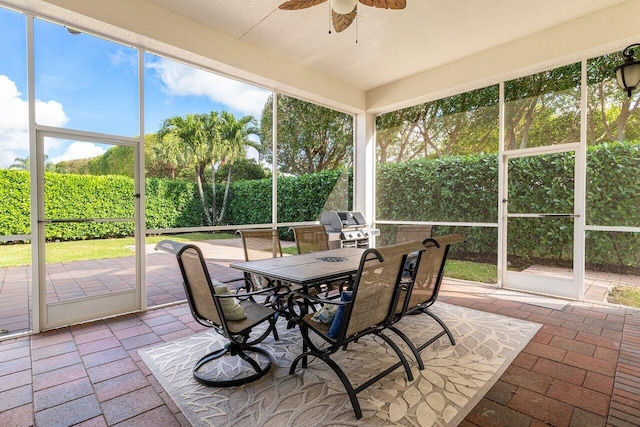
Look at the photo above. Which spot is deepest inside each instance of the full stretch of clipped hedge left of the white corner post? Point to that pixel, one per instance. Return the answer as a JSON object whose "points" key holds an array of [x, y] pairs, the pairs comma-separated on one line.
{"points": [[169, 203]]}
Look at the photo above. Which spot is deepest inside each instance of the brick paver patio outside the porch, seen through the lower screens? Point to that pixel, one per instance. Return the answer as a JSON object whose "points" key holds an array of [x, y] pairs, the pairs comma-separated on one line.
{"points": [[164, 283]]}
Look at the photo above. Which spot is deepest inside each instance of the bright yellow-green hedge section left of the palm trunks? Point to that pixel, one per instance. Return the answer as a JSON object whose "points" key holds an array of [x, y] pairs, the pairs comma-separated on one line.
{"points": [[170, 204]]}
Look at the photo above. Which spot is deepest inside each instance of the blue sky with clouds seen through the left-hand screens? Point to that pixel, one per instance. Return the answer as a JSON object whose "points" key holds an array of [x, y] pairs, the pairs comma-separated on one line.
{"points": [[87, 83]]}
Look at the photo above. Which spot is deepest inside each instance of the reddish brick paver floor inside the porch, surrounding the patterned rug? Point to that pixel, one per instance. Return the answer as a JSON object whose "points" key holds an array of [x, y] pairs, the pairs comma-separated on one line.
{"points": [[581, 369]]}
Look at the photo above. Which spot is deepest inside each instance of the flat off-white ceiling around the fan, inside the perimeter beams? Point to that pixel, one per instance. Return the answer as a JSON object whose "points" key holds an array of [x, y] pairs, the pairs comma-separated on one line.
{"points": [[392, 44]]}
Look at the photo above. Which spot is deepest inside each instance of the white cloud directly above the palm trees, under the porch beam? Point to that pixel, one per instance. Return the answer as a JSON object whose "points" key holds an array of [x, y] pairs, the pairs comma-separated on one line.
{"points": [[183, 80]]}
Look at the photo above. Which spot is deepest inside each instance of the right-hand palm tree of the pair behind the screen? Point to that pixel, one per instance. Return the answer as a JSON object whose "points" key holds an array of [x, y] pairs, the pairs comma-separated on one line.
{"points": [[233, 139]]}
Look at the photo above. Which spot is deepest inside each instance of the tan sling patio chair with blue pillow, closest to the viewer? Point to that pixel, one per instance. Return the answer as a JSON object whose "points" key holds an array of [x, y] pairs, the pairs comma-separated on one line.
{"points": [[365, 310]]}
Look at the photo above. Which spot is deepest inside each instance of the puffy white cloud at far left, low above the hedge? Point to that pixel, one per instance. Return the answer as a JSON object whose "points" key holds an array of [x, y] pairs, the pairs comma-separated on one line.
{"points": [[14, 121]]}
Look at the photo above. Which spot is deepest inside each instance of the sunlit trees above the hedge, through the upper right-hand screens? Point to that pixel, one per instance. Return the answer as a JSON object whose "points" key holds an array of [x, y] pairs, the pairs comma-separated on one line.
{"points": [[540, 110]]}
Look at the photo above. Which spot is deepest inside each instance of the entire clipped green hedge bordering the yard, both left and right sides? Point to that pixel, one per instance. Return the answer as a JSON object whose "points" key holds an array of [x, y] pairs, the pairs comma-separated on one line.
{"points": [[451, 189]]}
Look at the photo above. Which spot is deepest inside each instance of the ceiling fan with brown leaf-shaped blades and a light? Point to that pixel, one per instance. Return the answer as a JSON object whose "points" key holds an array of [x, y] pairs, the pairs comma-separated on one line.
{"points": [[343, 12]]}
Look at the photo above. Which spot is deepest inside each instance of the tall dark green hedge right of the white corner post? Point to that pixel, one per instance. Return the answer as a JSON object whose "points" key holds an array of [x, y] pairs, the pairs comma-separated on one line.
{"points": [[465, 189]]}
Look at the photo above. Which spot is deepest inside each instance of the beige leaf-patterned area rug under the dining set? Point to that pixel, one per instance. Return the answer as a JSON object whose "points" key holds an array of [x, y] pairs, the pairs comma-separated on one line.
{"points": [[455, 378]]}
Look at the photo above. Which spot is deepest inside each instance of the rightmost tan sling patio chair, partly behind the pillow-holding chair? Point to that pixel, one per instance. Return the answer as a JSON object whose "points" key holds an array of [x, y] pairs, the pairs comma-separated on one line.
{"points": [[422, 289]]}
